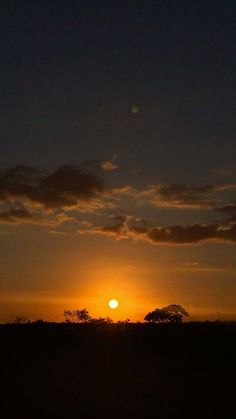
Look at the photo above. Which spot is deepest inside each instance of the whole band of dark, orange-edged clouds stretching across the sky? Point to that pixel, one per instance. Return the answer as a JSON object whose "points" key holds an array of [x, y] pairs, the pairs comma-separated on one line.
{"points": [[31, 197]]}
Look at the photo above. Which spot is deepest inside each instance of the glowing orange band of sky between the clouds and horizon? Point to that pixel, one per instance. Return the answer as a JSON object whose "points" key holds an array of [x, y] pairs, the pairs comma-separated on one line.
{"points": [[52, 273]]}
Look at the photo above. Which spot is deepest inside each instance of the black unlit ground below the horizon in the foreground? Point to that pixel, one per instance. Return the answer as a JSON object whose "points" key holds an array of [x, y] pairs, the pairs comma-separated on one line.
{"points": [[134, 371]]}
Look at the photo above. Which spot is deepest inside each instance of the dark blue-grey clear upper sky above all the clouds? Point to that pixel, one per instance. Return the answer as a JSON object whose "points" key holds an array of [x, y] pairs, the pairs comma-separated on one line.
{"points": [[70, 72]]}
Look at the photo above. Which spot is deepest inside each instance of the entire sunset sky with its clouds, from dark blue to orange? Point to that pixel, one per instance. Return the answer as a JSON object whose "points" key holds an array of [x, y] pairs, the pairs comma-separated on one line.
{"points": [[117, 157]]}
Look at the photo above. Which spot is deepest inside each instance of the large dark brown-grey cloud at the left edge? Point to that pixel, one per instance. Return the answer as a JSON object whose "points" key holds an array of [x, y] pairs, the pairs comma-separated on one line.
{"points": [[64, 187]]}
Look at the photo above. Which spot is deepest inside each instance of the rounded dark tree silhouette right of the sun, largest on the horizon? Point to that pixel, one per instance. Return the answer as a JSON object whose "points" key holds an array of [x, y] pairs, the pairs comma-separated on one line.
{"points": [[172, 313]]}
